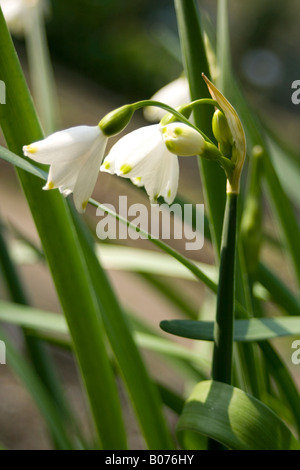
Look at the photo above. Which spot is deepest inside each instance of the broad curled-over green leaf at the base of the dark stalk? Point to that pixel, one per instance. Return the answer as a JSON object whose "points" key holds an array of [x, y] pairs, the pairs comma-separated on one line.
{"points": [[232, 417]]}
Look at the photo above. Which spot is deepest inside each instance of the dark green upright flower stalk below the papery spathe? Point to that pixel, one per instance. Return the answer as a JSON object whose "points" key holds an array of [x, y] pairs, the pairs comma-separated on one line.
{"points": [[223, 332]]}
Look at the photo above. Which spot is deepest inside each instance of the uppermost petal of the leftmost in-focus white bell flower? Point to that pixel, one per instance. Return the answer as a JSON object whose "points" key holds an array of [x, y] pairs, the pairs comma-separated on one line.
{"points": [[64, 146]]}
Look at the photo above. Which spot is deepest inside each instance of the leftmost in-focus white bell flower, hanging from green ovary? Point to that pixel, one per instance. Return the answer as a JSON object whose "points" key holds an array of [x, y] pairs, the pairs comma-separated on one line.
{"points": [[74, 156]]}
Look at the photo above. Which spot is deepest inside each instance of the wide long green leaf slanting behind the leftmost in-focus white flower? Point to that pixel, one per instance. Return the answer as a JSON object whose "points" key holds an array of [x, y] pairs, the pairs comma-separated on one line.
{"points": [[55, 227]]}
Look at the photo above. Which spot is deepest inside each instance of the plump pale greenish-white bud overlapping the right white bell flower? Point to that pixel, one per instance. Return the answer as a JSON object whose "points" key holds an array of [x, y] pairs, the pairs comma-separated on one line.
{"points": [[182, 139]]}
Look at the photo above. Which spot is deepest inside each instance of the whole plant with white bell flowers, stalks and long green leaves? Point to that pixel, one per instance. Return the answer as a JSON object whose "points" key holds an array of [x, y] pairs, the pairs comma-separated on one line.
{"points": [[243, 396]]}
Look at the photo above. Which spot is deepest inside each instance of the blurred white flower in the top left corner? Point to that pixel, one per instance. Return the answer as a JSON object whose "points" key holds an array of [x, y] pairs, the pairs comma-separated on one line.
{"points": [[16, 13]]}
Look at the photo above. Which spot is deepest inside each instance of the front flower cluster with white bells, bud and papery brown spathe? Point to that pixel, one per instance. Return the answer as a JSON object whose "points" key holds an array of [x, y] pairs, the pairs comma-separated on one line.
{"points": [[147, 156]]}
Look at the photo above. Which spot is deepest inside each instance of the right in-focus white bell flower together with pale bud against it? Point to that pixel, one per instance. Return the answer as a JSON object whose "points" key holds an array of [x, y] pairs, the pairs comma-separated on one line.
{"points": [[143, 156]]}
